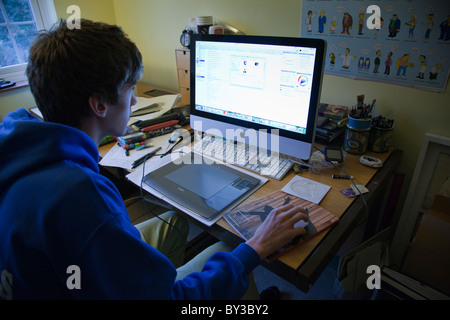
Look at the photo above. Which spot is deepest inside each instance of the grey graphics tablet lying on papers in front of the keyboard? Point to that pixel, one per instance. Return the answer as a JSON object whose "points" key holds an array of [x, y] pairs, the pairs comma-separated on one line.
{"points": [[206, 189]]}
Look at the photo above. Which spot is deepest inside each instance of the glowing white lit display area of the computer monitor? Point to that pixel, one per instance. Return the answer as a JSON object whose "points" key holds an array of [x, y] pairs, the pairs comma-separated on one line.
{"points": [[258, 83]]}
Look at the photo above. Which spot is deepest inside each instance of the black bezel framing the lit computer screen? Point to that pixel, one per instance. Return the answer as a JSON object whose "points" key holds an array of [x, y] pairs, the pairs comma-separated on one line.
{"points": [[318, 44]]}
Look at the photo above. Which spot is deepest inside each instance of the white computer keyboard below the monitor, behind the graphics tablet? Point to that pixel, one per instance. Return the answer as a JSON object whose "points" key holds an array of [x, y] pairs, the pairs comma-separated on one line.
{"points": [[243, 156]]}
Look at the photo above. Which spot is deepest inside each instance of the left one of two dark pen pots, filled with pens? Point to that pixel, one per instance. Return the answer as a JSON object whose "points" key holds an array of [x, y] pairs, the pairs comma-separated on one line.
{"points": [[359, 124]]}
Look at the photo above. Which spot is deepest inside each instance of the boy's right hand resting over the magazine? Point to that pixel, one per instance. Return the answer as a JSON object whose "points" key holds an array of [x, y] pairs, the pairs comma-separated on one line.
{"points": [[278, 229]]}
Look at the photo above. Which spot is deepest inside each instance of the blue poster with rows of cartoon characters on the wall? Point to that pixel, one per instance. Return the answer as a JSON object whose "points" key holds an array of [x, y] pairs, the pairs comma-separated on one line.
{"points": [[405, 42]]}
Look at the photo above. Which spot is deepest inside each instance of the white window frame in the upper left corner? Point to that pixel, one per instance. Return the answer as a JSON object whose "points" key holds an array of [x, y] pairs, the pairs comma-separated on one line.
{"points": [[45, 17]]}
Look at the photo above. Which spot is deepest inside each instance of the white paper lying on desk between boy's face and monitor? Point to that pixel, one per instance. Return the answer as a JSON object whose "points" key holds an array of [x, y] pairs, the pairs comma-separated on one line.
{"points": [[165, 103]]}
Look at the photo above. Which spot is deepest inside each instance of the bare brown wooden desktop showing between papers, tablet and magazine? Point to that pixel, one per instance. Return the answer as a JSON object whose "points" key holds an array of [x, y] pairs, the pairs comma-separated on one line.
{"points": [[334, 201]]}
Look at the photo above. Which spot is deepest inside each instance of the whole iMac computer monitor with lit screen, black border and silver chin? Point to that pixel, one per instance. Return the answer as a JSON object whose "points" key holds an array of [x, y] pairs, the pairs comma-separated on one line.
{"points": [[267, 84]]}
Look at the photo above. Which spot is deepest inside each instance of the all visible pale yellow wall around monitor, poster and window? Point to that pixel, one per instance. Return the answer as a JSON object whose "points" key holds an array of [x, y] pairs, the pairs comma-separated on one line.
{"points": [[156, 25]]}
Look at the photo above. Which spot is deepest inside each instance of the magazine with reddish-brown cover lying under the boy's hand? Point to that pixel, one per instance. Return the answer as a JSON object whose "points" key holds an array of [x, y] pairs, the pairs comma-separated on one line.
{"points": [[247, 218]]}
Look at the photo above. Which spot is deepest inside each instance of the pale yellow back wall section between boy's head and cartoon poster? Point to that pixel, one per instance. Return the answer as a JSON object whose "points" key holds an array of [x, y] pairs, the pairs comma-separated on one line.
{"points": [[156, 26]]}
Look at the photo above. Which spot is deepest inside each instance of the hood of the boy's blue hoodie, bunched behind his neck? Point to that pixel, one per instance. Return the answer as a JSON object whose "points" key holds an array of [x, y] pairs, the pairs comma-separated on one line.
{"points": [[28, 144]]}
